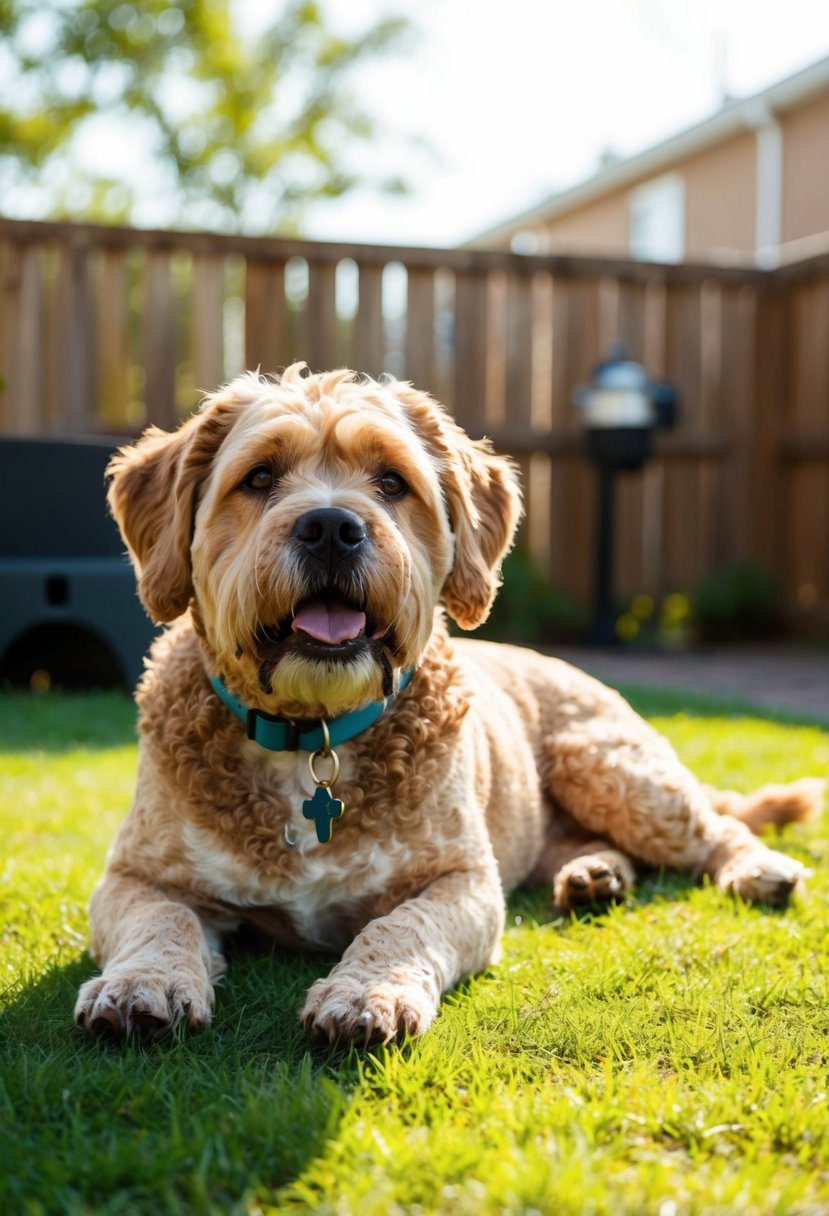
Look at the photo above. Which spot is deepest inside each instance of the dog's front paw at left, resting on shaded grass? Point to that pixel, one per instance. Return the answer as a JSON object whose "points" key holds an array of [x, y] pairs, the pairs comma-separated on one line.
{"points": [[115, 1005]]}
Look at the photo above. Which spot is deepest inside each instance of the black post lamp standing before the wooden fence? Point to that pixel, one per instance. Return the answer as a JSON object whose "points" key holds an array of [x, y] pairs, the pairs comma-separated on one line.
{"points": [[622, 410]]}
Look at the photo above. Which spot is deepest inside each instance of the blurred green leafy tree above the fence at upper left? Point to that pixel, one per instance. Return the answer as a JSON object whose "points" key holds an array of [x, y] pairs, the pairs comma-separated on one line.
{"points": [[233, 128]]}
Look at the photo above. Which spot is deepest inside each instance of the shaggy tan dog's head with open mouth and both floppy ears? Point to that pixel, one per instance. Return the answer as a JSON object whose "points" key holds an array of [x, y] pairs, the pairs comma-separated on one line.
{"points": [[313, 523]]}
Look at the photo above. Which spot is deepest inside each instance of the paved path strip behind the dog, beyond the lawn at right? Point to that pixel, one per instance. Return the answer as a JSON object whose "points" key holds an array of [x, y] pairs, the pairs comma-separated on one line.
{"points": [[776, 678]]}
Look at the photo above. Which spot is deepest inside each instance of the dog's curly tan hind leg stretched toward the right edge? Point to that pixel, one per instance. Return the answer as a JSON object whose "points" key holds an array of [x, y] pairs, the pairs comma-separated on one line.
{"points": [[621, 780]]}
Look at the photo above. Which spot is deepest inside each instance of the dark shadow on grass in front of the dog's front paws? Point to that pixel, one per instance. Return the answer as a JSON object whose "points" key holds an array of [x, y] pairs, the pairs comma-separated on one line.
{"points": [[199, 1122]]}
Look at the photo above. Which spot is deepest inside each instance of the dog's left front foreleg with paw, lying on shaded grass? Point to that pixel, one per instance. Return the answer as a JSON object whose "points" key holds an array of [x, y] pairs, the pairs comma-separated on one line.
{"points": [[159, 964]]}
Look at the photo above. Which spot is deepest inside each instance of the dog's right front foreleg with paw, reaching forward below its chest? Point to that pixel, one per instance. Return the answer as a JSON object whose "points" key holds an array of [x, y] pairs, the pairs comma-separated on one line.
{"points": [[391, 979]]}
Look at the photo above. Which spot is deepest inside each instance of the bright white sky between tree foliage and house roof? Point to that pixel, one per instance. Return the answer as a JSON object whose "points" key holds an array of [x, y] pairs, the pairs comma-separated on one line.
{"points": [[518, 99]]}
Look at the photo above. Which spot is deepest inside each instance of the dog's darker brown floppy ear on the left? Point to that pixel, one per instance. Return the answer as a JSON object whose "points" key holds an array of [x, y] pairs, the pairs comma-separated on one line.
{"points": [[154, 496]]}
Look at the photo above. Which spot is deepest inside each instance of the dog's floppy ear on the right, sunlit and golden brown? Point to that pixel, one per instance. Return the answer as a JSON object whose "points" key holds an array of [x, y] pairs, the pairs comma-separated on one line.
{"points": [[484, 504]]}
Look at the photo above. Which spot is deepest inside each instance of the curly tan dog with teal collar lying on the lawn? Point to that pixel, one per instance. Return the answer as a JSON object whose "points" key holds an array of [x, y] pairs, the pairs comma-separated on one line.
{"points": [[320, 761]]}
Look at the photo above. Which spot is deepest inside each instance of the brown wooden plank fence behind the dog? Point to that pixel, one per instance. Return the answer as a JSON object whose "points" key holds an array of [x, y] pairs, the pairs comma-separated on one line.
{"points": [[108, 330]]}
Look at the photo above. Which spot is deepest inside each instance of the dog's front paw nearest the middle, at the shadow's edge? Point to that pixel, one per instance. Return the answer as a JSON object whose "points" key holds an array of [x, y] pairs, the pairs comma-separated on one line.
{"points": [[368, 1011]]}
